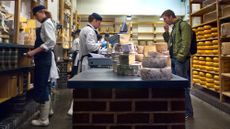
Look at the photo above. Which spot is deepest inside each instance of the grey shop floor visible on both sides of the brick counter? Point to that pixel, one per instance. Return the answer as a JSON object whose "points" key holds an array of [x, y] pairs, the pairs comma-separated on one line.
{"points": [[206, 116]]}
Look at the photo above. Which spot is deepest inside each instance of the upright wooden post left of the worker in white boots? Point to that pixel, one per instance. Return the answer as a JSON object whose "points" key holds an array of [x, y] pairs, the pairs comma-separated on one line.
{"points": [[17, 11]]}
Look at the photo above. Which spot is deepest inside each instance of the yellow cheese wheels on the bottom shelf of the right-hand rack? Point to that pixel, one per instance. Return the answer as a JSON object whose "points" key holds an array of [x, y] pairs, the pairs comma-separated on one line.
{"points": [[207, 80]]}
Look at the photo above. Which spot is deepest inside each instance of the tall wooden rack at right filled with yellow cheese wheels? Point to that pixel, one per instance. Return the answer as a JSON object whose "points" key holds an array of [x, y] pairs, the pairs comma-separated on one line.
{"points": [[210, 66]]}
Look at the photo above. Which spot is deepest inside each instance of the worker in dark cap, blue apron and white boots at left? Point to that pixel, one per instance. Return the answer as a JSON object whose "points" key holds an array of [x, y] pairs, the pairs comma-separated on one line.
{"points": [[44, 63]]}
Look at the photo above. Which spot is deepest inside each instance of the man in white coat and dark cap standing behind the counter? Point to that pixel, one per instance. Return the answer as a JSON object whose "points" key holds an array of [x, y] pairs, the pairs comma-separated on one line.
{"points": [[88, 40]]}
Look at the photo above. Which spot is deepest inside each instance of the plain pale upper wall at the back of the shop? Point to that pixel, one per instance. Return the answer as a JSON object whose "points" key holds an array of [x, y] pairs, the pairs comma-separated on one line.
{"points": [[130, 7]]}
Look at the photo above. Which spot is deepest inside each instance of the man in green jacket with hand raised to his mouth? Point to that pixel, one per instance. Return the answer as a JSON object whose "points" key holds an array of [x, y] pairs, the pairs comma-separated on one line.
{"points": [[179, 42]]}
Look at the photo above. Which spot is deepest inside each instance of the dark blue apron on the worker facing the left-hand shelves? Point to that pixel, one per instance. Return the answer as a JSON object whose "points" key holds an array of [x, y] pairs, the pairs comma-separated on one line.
{"points": [[42, 71]]}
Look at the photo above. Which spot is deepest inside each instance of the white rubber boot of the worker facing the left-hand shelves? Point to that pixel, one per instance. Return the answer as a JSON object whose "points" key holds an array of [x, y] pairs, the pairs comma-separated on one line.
{"points": [[44, 115]]}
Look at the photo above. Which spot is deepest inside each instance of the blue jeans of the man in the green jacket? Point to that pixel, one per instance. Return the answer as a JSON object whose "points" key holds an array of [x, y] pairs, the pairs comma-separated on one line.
{"points": [[183, 70]]}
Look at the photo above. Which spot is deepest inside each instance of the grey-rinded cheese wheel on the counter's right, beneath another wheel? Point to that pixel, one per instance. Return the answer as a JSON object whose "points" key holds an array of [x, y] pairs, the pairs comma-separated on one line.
{"points": [[156, 73]]}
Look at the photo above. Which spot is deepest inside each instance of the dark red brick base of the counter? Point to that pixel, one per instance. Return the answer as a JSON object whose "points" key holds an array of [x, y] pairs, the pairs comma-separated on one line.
{"points": [[125, 108]]}
